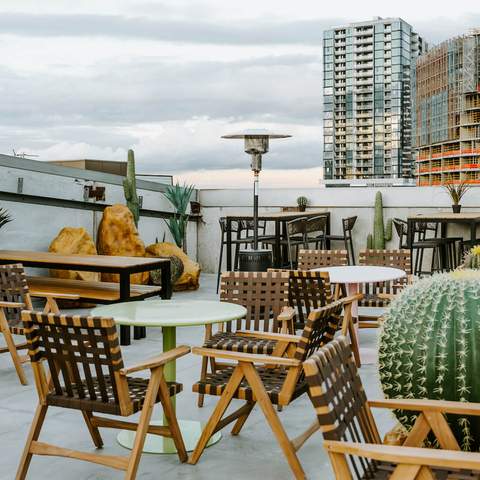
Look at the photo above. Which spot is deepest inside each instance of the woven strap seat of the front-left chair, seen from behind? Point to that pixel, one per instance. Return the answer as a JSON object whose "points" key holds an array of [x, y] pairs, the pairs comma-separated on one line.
{"points": [[136, 386]]}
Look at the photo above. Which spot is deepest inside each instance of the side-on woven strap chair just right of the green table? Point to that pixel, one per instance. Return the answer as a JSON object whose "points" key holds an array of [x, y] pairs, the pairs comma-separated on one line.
{"points": [[278, 382]]}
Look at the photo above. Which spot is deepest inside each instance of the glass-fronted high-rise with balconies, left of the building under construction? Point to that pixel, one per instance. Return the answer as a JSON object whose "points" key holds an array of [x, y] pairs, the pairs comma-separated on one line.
{"points": [[367, 99]]}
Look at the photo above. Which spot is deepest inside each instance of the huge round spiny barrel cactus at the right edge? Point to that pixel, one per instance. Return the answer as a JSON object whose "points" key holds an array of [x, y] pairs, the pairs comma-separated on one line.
{"points": [[430, 345]]}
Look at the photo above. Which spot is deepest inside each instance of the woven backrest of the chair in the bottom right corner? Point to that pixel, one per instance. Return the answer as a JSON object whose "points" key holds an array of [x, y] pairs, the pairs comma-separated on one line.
{"points": [[339, 400]]}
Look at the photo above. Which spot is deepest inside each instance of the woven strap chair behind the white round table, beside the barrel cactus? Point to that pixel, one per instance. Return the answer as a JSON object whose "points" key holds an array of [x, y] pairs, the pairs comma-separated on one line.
{"points": [[380, 294]]}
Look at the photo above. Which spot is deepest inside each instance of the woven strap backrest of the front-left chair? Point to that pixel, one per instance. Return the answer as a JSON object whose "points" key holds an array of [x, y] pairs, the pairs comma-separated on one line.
{"points": [[77, 350]]}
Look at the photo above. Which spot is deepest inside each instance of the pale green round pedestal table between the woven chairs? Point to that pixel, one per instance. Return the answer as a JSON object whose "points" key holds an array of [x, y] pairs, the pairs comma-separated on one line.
{"points": [[170, 314]]}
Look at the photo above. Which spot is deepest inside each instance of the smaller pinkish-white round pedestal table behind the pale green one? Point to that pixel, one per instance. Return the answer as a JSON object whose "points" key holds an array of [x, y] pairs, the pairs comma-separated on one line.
{"points": [[354, 275]]}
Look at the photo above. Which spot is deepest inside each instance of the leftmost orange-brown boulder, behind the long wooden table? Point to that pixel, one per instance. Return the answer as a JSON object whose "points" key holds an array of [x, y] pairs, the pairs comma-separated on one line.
{"points": [[75, 241]]}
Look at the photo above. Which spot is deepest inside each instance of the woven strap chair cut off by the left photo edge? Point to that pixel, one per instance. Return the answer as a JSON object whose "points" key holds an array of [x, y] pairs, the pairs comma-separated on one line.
{"points": [[14, 296]]}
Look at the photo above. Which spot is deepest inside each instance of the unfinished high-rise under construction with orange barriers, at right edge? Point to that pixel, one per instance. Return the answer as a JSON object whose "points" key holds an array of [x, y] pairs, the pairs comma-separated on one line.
{"points": [[447, 116]]}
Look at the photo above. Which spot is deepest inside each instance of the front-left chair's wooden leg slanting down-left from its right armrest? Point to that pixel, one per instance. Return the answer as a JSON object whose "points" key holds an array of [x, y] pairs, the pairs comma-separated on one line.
{"points": [[143, 424]]}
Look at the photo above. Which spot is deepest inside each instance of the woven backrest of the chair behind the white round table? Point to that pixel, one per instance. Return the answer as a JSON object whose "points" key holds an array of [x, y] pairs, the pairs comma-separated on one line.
{"points": [[400, 259]]}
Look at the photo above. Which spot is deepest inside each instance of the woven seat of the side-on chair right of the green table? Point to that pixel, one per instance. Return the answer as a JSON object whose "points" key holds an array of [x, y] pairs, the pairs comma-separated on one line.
{"points": [[272, 379]]}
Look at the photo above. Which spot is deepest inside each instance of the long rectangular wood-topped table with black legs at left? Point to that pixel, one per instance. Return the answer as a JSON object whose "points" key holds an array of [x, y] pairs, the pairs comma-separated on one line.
{"points": [[123, 266]]}
